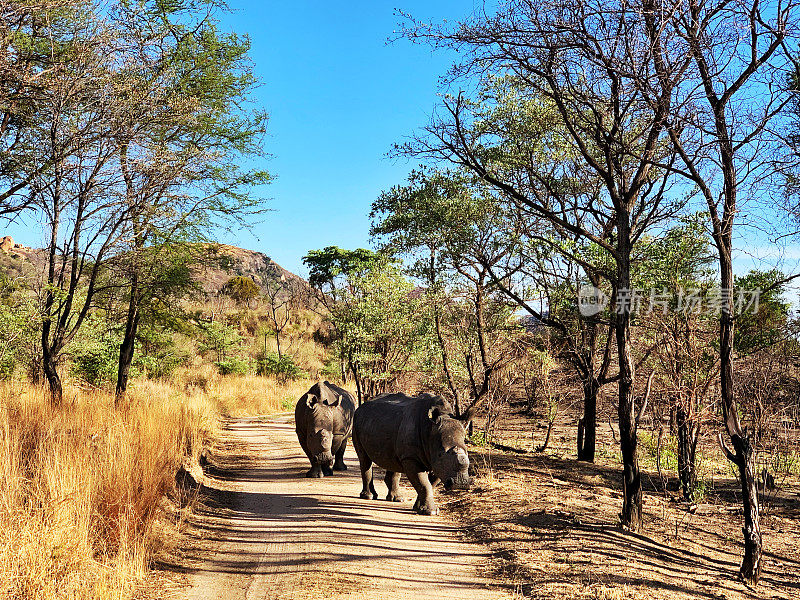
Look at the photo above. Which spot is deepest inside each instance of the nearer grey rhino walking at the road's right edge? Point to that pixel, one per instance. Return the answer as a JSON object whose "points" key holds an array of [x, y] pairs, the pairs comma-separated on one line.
{"points": [[417, 436]]}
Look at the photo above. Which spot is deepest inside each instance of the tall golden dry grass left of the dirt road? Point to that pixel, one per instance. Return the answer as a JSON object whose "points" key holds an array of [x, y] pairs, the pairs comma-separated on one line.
{"points": [[83, 486]]}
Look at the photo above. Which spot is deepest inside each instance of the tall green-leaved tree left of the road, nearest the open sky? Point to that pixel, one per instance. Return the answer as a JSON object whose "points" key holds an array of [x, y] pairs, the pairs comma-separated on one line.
{"points": [[187, 128]]}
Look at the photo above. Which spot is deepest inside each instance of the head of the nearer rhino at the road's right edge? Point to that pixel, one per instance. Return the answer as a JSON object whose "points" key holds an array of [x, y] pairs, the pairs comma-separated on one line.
{"points": [[448, 450]]}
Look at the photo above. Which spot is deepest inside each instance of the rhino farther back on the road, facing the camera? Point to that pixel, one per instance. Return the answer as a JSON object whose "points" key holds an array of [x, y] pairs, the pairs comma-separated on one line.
{"points": [[324, 420]]}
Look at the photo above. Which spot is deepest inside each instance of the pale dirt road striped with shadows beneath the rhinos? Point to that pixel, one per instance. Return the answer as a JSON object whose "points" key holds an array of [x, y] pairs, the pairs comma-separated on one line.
{"points": [[267, 532]]}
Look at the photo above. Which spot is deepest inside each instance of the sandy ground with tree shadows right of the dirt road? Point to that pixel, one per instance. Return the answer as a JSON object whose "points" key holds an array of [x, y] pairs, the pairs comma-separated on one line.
{"points": [[552, 521]]}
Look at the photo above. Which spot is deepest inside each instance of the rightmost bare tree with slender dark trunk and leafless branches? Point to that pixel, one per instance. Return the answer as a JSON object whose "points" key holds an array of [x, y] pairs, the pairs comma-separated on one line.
{"points": [[737, 53]]}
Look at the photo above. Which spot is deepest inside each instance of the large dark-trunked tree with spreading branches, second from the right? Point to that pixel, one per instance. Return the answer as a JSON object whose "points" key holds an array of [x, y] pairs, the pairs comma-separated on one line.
{"points": [[569, 55]]}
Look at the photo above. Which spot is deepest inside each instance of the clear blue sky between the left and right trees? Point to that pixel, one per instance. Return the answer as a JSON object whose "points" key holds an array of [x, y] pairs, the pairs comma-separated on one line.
{"points": [[338, 96]]}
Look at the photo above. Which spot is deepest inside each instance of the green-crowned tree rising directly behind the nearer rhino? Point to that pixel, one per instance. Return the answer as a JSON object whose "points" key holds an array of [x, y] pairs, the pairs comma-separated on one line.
{"points": [[455, 237]]}
